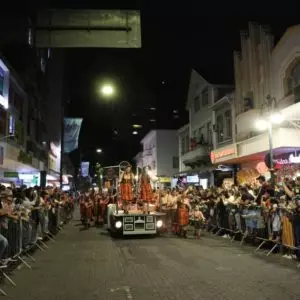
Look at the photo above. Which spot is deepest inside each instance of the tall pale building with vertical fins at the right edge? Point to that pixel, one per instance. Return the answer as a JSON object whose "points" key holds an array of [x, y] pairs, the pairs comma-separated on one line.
{"points": [[264, 71]]}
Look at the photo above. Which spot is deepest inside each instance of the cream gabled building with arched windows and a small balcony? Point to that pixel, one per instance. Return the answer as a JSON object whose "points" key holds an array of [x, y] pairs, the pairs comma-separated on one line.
{"points": [[209, 125]]}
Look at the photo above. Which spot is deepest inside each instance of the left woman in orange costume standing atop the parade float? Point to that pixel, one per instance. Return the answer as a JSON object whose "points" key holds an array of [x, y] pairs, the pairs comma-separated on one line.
{"points": [[126, 188]]}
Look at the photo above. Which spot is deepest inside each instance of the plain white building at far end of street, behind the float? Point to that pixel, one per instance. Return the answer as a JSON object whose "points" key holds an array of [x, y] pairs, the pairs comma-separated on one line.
{"points": [[160, 153]]}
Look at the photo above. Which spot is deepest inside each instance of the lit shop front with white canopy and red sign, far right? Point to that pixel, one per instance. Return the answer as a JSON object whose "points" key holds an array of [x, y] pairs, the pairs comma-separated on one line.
{"points": [[250, 156]]}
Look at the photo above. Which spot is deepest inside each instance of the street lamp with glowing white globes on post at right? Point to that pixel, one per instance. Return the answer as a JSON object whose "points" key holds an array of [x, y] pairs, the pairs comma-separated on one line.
{"points": [[266, 121]]}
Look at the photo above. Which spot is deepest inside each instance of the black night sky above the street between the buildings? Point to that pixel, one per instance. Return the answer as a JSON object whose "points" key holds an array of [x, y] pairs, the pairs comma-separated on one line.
{"points": [[174, 40]]}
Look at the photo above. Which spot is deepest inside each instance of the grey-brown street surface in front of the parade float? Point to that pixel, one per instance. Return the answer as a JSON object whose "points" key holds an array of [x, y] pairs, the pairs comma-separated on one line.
{"points": [[86, 265]]}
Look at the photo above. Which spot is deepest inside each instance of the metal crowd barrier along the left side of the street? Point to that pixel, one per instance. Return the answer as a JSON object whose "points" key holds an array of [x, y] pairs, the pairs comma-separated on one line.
{"points": [[22, 236]]}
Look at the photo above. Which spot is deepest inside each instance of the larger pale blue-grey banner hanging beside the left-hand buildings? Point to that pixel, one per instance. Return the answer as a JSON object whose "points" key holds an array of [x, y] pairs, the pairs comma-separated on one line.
{"points": [[71, 134]]}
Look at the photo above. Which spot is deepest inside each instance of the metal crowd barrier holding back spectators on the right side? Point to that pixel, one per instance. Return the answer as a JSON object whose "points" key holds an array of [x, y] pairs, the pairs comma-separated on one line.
{"points": [[258, 225]]}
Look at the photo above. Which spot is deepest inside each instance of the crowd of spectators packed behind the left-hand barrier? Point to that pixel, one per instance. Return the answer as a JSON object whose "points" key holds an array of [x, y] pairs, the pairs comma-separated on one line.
{"points": [[29, 216]]}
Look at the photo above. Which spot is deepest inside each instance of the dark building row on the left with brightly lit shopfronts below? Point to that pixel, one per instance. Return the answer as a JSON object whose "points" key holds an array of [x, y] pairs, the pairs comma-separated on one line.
{"points": [[32, 104]]}
